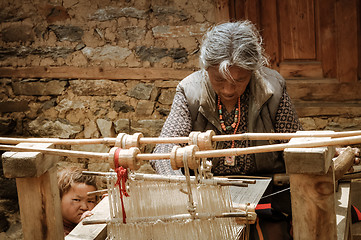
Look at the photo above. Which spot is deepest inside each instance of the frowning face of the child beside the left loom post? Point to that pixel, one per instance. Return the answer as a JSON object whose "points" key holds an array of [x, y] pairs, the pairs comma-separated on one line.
{"points": [[75, 202]]}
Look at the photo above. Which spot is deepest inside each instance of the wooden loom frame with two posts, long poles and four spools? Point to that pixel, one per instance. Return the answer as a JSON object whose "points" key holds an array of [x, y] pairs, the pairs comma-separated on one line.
{"points": [[39, 173]]}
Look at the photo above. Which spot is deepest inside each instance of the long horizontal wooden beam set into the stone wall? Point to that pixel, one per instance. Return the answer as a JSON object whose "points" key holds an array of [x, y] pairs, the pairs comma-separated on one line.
{"points": [[69, 72]]}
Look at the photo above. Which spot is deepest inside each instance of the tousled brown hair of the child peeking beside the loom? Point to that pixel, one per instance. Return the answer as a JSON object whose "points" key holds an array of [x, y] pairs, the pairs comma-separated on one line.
{"points": [[70, 175]]}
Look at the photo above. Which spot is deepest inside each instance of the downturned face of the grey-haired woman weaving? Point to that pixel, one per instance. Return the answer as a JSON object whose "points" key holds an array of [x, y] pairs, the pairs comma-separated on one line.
{"points": [[228, 90]]}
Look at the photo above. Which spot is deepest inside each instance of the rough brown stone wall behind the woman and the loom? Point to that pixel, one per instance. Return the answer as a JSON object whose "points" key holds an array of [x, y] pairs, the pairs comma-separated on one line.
{"points": [[93, 33]]}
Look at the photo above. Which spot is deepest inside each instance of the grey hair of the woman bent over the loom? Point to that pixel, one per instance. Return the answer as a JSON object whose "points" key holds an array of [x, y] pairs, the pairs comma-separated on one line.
{"points": [[232, 44]]}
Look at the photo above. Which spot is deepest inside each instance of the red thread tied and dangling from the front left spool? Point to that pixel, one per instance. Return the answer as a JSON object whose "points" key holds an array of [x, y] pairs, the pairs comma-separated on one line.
{"points": [[122, 177]]}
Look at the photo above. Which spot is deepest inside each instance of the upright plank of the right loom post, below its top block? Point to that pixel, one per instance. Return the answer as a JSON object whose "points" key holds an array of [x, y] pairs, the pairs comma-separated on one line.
{"points": [[313, 206]]}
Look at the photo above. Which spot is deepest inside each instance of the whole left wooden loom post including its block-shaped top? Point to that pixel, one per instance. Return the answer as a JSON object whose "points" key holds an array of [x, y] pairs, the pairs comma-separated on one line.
{"points": [[38, 193]]}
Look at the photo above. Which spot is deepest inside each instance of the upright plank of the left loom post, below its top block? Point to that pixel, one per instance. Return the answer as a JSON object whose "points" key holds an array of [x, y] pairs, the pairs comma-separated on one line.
{"points": [[40, 210]]}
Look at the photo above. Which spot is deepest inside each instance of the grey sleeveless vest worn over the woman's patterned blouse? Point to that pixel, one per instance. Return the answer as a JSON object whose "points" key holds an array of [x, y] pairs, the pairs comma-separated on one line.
{"points": [[266, 89]]}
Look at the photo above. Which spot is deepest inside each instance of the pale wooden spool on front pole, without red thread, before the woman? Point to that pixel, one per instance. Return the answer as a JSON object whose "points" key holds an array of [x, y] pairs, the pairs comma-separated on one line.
{"points": [[176, 157]]}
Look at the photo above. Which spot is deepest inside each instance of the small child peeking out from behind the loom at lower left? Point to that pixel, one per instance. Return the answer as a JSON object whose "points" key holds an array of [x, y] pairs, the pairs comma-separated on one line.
{"points": [[75, 203]]}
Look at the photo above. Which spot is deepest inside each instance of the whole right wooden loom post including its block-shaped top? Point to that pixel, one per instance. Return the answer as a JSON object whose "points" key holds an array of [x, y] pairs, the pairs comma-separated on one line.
{"points": [[312, 191]]}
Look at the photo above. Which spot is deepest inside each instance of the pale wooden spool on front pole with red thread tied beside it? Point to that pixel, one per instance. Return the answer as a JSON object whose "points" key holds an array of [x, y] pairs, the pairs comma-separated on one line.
{"points": [[127, 158]]}
